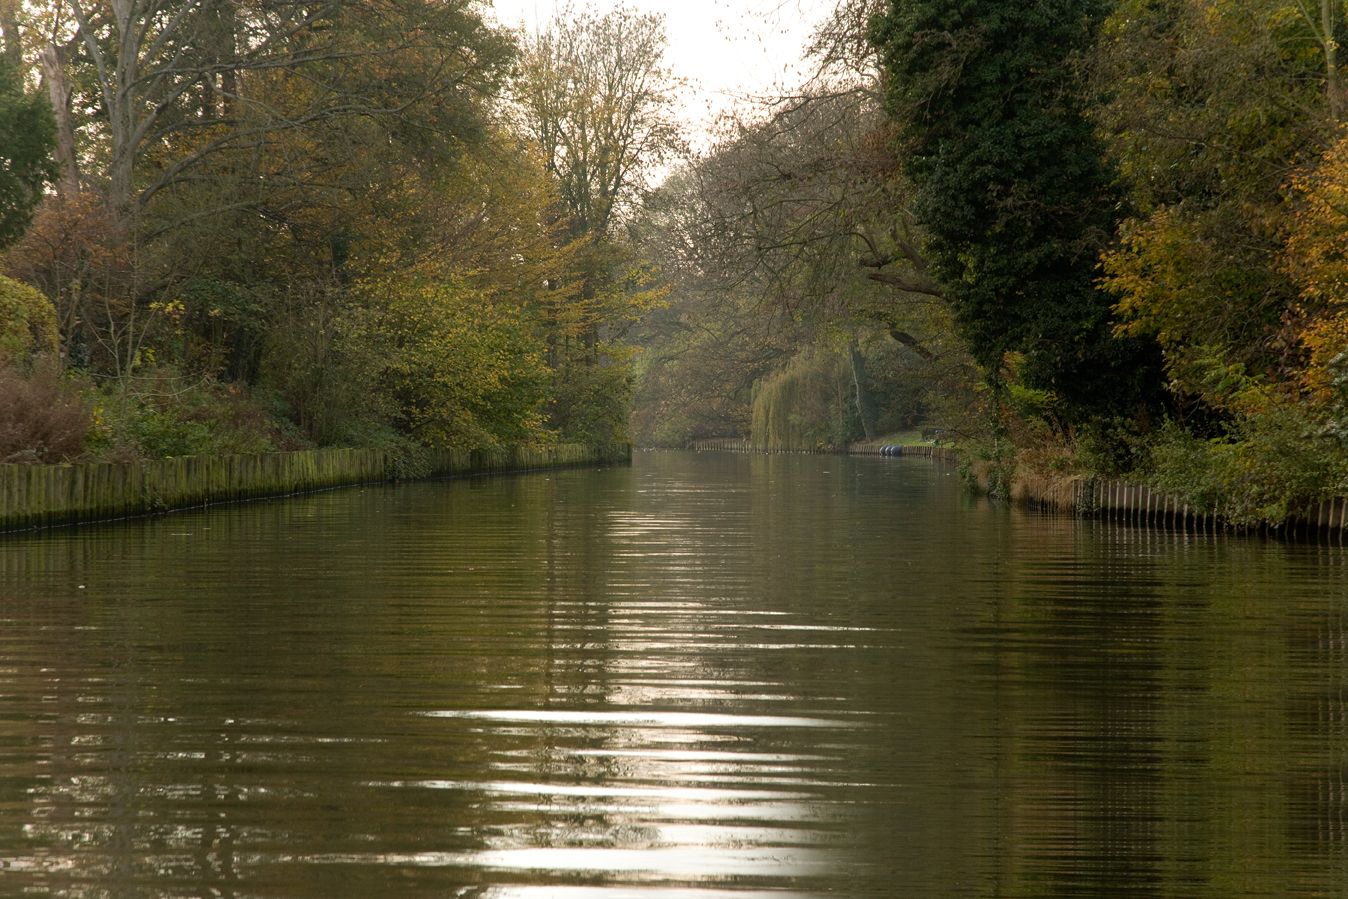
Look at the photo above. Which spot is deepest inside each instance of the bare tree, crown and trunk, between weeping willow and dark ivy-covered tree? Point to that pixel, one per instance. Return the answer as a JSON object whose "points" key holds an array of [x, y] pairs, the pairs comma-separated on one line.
{"points": [[805, 214]]}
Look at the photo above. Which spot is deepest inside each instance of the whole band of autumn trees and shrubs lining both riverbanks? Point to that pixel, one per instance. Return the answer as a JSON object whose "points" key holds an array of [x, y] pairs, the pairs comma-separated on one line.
{"points": [[1083, 238]]}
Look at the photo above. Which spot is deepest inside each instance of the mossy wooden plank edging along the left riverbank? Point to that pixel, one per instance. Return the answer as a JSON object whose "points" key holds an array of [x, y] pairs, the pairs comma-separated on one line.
{"points": [[42, 497]]}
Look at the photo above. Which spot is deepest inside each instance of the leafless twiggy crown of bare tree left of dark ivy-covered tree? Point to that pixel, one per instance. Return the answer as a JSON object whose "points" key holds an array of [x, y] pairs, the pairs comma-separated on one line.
{"points": [[809, 206]]}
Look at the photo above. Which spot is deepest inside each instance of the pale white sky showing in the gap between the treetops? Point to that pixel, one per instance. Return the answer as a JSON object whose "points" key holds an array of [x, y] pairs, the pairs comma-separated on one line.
{"points": [[727, 51]]}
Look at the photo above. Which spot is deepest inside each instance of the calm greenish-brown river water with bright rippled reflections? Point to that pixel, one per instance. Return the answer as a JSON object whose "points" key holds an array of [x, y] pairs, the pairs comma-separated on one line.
{"points": [[721, 677]]}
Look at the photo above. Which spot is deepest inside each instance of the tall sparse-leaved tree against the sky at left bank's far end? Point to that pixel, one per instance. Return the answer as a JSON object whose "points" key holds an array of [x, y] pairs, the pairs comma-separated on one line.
{"points": [[595, 96]]}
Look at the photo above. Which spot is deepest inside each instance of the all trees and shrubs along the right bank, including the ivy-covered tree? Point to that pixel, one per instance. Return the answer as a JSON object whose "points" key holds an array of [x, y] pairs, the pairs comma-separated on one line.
{"points": [[1086, 238]]}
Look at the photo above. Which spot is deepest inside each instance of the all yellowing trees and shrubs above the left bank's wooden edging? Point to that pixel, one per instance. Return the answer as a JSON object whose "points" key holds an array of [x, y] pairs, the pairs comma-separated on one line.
{"points": [[246, 227]]}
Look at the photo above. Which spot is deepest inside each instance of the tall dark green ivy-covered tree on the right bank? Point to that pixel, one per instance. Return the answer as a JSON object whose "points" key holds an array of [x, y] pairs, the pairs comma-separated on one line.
{"points": [[1010, 187]]}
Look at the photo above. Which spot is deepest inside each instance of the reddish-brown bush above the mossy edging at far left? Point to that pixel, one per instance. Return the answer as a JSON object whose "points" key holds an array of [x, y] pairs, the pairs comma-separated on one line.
{"points": [[44, 417]]}
